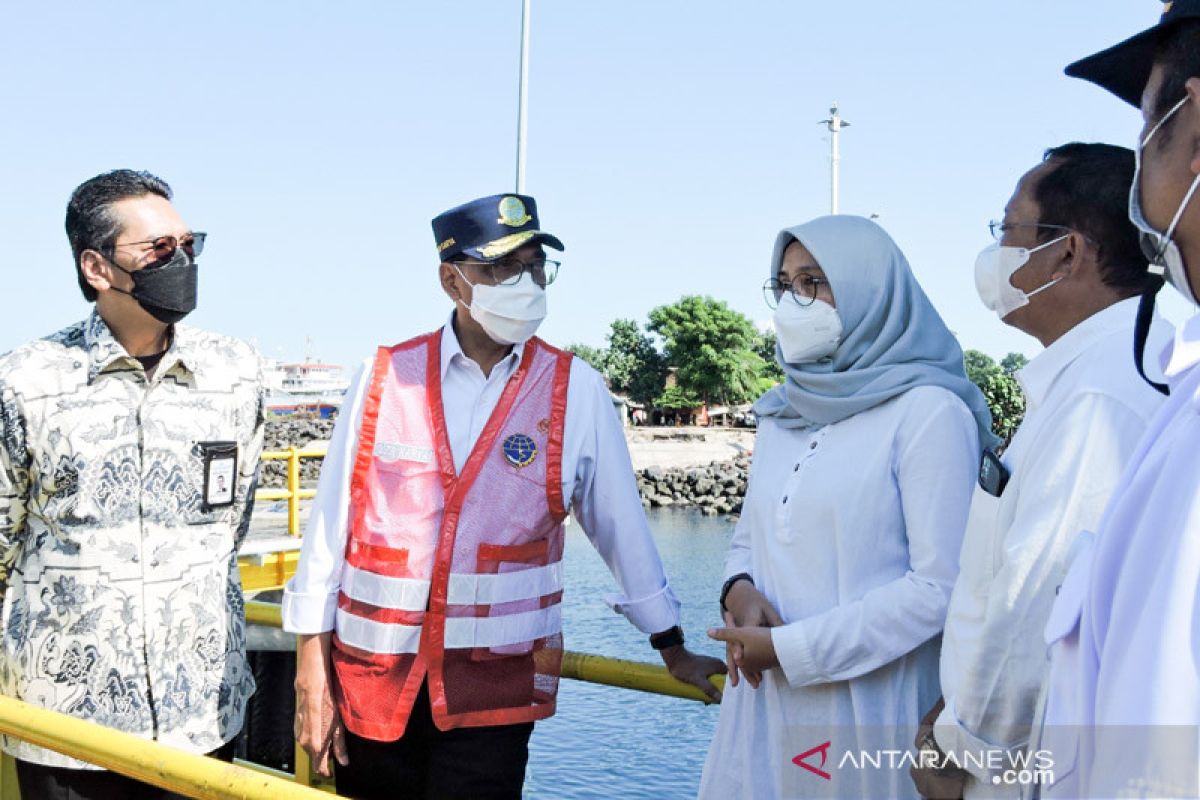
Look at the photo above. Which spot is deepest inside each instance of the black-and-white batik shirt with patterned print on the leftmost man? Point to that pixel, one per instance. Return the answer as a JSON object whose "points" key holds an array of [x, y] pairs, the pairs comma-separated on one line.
{"points": [[122, 596]]}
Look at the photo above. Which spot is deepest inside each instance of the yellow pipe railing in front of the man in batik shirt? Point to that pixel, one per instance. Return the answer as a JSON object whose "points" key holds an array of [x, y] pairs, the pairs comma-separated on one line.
{"points": [[145, 760]]}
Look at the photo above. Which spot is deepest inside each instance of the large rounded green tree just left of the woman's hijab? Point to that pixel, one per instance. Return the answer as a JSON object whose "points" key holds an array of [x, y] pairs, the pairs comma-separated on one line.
{"points": [[712, 346]]}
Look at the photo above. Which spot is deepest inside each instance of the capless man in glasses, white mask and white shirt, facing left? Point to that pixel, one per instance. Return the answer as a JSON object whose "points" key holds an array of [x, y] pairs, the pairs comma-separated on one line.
{"points": [[1067, 270]]}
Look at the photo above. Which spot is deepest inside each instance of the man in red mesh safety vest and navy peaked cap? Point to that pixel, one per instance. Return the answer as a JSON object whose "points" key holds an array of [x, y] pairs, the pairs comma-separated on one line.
{"points": [[428, 593]]}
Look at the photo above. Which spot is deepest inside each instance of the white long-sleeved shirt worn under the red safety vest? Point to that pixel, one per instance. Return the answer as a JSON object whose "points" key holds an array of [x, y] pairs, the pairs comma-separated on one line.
{"points": [[598, 478]]}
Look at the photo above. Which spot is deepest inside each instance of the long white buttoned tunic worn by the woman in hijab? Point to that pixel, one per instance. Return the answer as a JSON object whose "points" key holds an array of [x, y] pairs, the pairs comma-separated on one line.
{"points": [[853, 533]]}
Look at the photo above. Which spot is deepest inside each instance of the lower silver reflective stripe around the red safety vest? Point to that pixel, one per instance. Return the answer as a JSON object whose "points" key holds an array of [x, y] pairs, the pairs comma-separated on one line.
{"points": [[463, 633]]}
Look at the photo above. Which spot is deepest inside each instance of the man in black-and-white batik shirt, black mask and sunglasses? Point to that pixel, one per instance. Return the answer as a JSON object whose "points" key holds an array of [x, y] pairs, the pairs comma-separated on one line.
{"points": [[129, 456]]}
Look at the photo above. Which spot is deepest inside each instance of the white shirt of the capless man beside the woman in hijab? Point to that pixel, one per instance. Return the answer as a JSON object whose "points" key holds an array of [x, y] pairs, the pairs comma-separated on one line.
{"points": [[1087, 408]]}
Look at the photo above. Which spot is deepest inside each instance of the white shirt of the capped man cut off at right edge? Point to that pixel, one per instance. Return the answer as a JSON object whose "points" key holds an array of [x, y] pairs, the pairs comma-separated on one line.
{"points": [[1125, 631]]}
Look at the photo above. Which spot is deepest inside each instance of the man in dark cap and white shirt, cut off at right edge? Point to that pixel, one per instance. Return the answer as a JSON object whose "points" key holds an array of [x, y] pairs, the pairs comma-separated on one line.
{"points": [[1125, 630]]}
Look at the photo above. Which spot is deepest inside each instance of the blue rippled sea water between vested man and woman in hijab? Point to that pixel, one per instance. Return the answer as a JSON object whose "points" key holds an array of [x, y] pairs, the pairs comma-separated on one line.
{"points": [[617, 743]]}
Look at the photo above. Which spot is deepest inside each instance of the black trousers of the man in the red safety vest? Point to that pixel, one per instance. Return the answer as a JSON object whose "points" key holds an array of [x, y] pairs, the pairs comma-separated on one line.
{"points": [[431, 765]]}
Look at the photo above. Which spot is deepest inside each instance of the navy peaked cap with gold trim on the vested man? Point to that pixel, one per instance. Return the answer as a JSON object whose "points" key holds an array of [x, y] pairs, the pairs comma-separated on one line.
{"points": [[490, 228]]}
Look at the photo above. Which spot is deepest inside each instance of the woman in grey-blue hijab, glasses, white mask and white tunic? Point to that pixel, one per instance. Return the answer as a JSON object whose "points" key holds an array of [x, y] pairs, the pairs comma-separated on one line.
{"points": [[842, 566]]}
